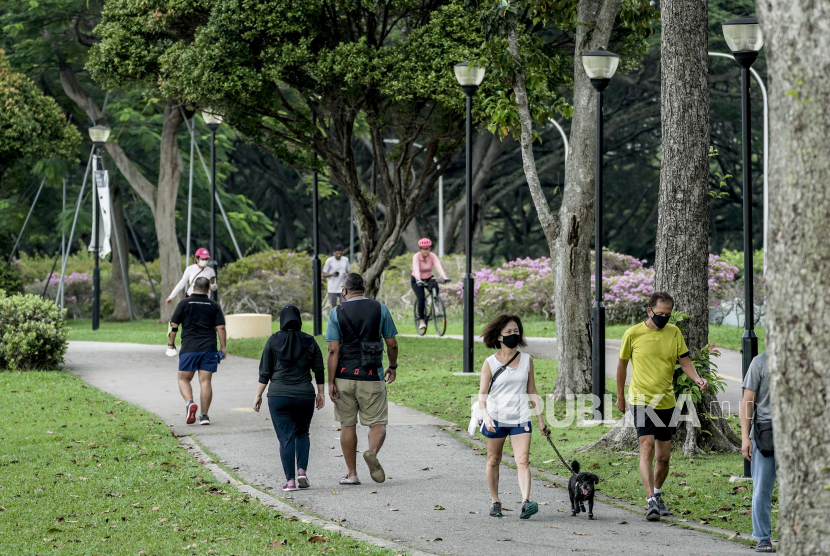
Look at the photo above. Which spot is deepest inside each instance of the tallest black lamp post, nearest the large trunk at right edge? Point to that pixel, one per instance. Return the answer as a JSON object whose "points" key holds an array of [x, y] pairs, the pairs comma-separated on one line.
{"points": [[744, 37]]}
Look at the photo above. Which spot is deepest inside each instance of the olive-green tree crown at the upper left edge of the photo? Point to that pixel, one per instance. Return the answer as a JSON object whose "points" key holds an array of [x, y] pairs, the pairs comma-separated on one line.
{"points": [[32, 125]]}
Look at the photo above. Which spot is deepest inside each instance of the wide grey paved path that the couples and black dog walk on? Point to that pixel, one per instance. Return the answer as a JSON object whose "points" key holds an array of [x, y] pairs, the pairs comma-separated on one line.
{"points": [[426, 467]]}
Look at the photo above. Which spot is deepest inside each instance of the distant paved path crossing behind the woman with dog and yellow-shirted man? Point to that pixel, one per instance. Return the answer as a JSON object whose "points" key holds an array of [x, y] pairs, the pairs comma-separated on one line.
{"points": [[729, 364]]}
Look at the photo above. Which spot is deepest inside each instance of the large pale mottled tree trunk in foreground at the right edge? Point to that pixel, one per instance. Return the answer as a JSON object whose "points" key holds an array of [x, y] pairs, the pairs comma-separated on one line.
{"points": [[798, 267]]}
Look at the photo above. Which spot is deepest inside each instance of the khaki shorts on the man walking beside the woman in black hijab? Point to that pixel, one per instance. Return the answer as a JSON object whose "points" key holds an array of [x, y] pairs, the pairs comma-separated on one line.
{"points": [[364, 397]]}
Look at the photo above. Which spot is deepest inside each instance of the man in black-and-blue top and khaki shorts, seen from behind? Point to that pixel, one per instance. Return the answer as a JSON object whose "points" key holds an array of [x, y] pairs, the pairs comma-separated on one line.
{"points": [[357, 381]]}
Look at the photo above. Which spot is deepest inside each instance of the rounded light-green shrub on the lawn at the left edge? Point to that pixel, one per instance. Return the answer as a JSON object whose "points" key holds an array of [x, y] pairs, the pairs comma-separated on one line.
{"points": [[33, 333]]}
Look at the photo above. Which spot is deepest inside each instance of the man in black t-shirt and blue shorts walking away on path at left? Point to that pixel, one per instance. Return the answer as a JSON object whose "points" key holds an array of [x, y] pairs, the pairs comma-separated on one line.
{"points": [[202, 319]]}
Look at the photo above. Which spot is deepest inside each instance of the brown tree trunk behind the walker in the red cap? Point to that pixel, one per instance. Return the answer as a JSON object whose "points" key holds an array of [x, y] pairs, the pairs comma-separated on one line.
{"points": [[170, 174]]}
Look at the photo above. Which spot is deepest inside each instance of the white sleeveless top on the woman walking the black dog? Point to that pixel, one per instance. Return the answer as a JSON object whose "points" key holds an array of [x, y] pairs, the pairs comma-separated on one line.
{"points": [[507, 403]]}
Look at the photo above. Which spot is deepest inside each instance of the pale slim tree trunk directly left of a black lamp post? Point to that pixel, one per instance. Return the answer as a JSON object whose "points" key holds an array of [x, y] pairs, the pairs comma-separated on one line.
{"points": [[570, 255]]}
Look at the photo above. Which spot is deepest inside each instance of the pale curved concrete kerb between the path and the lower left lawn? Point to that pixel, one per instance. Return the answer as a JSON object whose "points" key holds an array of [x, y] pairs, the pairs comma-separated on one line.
{"points": [[195, 450]]}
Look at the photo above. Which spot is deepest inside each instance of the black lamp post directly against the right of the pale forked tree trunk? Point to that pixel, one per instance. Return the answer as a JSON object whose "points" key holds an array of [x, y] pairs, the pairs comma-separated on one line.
{"points": [[600, 66]]}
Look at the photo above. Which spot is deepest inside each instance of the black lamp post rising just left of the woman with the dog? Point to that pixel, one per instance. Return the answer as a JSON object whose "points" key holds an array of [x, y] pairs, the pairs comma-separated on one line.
{"points": [[469, 76]]}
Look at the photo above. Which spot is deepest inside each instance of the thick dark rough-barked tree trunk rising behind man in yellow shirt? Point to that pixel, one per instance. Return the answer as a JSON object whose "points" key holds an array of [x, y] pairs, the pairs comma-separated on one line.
{"points": [[682, 262]]}
